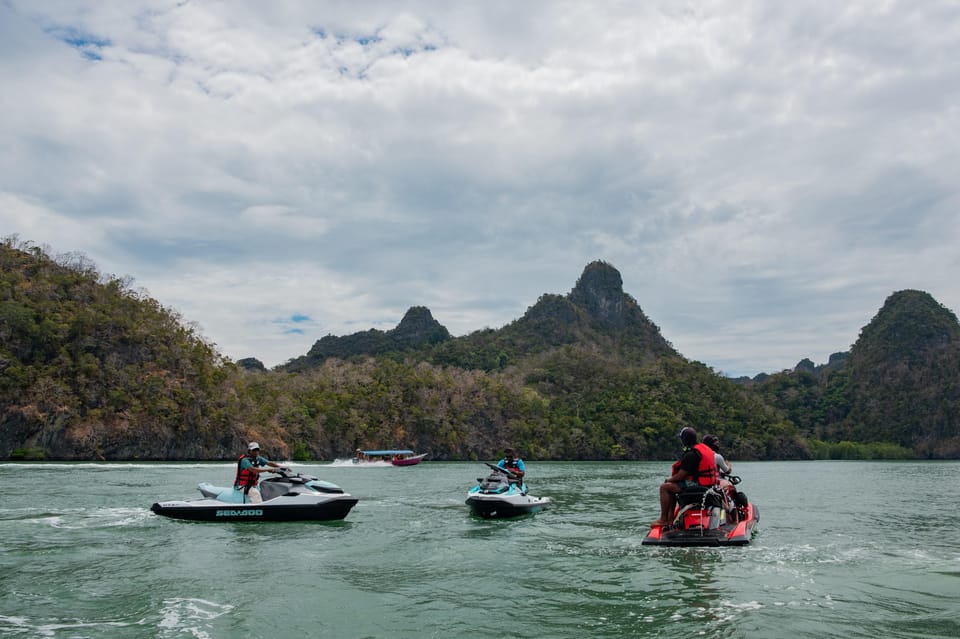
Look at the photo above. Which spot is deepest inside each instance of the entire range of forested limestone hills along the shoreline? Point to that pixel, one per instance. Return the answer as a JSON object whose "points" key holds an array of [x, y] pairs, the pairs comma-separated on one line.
{"points": [[92, 369]]}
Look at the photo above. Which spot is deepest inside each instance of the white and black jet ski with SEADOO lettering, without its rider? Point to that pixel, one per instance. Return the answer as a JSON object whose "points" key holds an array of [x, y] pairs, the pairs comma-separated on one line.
{"points": [[288, 497]]}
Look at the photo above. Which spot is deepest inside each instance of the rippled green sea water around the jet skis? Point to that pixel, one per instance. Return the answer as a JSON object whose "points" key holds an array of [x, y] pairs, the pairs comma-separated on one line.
{"points": [[843, 549]]}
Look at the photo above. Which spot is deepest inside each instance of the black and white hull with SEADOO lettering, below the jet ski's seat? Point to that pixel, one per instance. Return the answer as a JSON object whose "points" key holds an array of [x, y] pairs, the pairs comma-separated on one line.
{"points": [[294, 509]]}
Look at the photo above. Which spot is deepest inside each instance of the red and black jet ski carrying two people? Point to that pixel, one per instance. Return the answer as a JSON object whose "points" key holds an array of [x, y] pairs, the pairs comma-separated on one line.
{"points": [[708, 516]]}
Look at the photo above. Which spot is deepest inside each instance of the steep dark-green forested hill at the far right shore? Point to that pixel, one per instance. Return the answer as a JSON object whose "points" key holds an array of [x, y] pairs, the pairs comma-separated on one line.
{"points": [[899, 384]]}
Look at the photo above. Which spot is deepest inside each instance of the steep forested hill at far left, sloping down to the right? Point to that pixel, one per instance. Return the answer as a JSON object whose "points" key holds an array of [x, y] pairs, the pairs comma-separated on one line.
{"points": [[91, 369]]}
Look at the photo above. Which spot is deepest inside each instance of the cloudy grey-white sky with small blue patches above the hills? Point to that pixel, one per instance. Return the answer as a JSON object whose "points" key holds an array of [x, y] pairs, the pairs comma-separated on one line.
{"points": [[763, 175]]}
